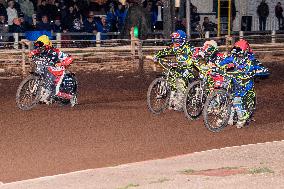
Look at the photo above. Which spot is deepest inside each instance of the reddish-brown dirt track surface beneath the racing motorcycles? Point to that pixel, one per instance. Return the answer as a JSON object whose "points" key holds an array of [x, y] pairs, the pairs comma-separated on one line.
{"points": [[112, 125]]}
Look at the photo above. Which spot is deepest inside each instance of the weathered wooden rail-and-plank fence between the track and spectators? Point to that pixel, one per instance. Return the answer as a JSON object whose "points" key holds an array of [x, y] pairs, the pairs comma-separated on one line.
{"points": [[120, 55]]}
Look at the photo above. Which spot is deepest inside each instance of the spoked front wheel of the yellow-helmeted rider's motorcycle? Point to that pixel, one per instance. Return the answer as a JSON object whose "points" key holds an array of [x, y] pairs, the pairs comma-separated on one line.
{"points": [[28, 93]]}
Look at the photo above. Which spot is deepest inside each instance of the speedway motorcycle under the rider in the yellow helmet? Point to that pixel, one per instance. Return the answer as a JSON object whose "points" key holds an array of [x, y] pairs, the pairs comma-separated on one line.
{"points": [[32, 91]]}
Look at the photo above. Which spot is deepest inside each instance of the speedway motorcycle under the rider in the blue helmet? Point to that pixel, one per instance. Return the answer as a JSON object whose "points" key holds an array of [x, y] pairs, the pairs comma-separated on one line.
{"points": [[159, 91]]}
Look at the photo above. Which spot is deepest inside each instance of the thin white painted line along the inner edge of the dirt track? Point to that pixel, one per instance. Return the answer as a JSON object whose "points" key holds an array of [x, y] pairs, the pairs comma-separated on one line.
{"points": [[129, 164]]}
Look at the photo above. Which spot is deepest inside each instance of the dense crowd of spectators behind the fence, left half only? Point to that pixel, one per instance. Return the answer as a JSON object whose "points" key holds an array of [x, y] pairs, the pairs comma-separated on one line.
{"points": [[69, 15]]}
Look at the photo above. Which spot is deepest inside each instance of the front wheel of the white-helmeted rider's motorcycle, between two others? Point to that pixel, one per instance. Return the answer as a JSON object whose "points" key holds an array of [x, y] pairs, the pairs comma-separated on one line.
{"points": [[194, 99]]}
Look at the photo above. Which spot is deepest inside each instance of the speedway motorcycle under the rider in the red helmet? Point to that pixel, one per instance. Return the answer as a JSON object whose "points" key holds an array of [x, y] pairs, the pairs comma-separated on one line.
{"points": [[218, 105]]}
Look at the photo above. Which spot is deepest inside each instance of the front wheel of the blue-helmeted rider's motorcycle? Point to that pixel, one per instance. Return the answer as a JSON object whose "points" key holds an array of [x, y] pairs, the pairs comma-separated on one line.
{"points": [[158, 95]]}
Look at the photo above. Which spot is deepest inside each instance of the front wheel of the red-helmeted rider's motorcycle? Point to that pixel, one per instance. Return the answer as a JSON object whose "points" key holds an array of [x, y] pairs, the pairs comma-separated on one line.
{"points": [[217, 110]]}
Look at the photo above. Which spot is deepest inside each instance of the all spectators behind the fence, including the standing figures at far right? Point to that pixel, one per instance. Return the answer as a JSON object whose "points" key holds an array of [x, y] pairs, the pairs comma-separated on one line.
{"points": [[101, 16]]}
